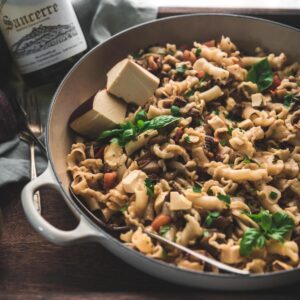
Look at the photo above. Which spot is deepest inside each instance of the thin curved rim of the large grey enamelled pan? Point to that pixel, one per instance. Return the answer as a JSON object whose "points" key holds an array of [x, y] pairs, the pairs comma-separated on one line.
{"points": [[155, 262]]}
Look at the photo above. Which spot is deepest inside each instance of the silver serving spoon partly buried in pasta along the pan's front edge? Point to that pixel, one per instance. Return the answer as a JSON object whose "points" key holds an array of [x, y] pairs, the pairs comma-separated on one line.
{"points": [[159, 238]]}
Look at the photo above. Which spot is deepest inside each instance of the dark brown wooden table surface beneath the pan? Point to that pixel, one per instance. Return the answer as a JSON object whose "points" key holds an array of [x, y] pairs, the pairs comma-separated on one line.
{"points": [[32, 268]]}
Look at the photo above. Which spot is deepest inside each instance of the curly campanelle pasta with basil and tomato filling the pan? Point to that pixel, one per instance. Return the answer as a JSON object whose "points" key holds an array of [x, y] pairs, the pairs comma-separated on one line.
{"points": [[211, 161]]}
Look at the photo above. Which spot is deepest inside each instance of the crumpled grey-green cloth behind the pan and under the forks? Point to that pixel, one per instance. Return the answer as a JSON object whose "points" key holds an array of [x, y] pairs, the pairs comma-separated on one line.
{"points": [[111, 16]]}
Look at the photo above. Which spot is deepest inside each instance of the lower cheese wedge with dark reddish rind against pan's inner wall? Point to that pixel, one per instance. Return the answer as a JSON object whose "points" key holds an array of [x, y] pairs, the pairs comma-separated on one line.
{"points": [[101, 112]]}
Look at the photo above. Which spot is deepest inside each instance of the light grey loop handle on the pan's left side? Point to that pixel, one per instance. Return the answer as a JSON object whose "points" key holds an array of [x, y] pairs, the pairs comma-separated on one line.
{"points": [[82, 233]]}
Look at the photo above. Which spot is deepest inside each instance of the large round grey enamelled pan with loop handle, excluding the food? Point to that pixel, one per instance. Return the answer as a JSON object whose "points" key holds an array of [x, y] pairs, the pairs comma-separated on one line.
{"points": [[89, 74]]}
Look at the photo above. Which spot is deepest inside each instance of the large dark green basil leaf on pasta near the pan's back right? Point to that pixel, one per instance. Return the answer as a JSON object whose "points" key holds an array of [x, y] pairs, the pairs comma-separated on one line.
{"points": [[261, 74]]}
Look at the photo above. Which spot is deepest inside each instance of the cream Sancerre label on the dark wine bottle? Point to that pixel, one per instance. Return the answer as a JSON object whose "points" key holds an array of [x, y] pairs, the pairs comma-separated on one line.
{"points": [[40, 33]]}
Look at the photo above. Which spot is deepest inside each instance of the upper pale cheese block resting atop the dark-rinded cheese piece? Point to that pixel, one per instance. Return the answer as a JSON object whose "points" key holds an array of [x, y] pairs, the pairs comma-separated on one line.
{"points": [[131, 82]]}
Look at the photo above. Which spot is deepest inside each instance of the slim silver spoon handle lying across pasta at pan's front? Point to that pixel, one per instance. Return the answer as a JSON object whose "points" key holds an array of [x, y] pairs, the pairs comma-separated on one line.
{"points": [[200, 256]]}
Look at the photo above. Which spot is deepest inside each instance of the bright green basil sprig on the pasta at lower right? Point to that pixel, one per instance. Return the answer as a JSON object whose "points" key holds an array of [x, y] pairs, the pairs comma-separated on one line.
{"points": [[271, 227]]}
